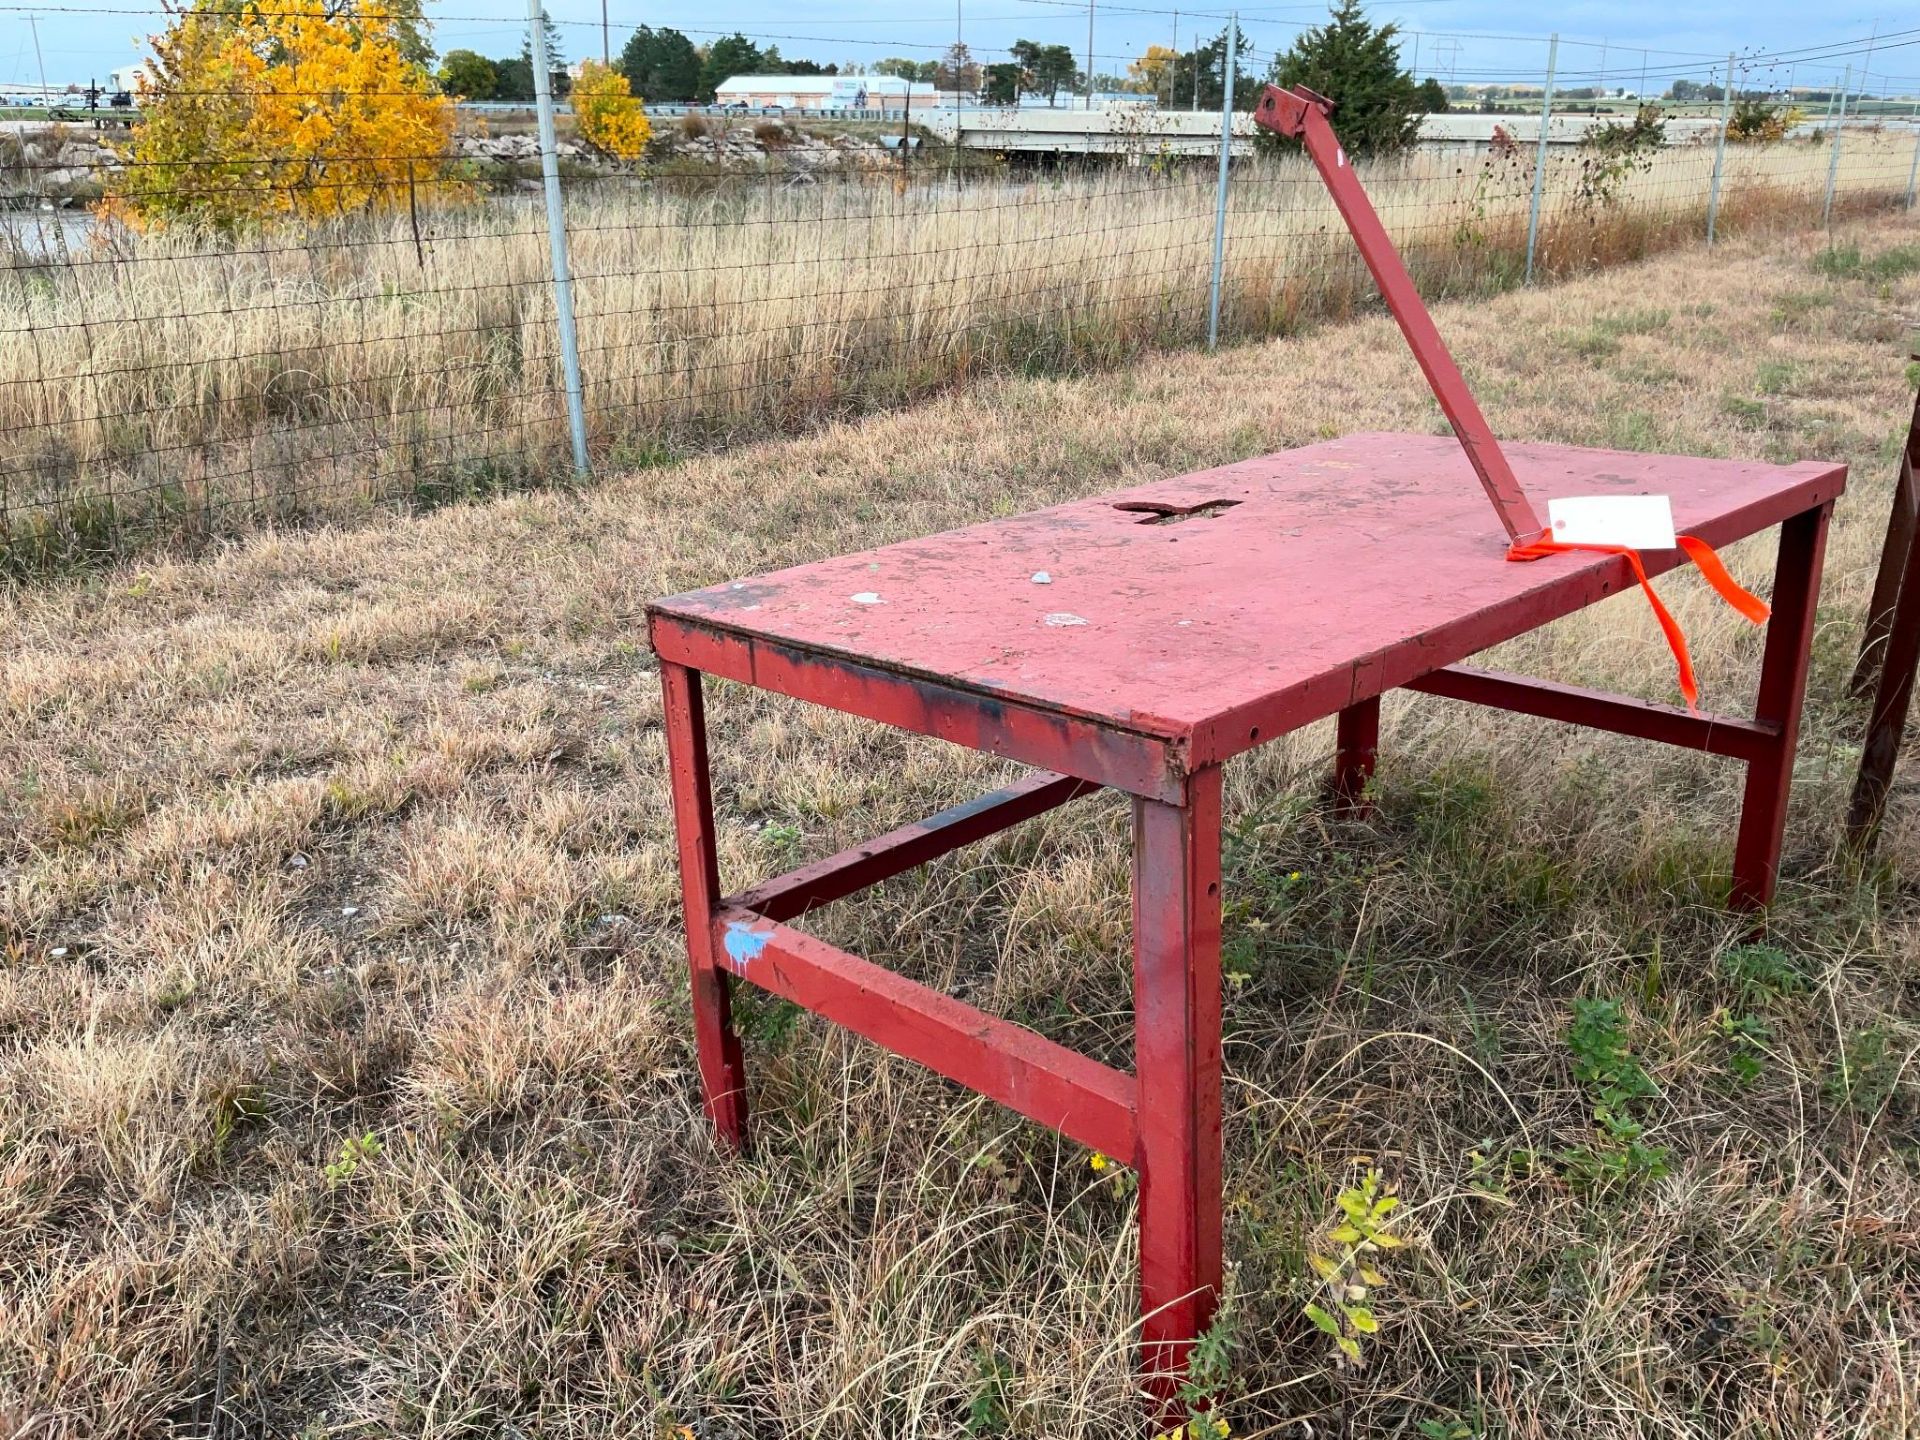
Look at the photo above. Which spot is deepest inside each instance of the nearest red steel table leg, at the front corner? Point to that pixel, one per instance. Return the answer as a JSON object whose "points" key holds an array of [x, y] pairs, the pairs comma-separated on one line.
{"points": [[1176, 1003]]}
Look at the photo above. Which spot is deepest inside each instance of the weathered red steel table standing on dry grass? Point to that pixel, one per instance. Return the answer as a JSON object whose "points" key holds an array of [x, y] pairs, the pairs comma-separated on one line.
{"points": [[1140, 642]]}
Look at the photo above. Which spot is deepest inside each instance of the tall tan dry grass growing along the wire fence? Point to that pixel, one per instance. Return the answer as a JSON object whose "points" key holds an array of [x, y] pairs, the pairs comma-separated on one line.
{"points": [[178, 389]]}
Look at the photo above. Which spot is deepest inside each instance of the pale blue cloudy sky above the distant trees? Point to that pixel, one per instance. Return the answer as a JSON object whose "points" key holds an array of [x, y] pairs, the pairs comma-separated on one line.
{"points": [[1468, 41]]}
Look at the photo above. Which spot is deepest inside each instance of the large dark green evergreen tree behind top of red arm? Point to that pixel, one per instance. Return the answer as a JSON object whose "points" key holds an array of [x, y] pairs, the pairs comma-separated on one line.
{"points": [[1356, 64]]}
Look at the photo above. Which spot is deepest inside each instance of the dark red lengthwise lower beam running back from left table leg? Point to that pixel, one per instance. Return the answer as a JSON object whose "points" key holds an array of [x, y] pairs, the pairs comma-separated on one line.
{"points": [[880, 859]]}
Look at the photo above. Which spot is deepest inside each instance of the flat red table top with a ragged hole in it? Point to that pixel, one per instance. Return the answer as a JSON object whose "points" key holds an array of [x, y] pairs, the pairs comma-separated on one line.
{"points": [[1339, 571]]}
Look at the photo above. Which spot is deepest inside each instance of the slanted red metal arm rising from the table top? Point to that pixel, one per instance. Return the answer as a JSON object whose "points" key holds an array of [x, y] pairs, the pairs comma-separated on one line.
{"points": [[1303, 116]]}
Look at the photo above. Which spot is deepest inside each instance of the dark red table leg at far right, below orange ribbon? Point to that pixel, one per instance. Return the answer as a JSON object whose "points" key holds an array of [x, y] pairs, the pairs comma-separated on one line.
{"points": [[1764, 811]]}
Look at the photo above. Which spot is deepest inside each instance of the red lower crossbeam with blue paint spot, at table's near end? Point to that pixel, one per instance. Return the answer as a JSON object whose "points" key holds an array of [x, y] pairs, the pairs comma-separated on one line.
{"points": [[1026, 1072]]}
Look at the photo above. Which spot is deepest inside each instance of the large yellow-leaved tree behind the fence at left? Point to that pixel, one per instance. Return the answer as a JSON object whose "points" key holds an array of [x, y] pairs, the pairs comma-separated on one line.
{"points": [[268, 112]]}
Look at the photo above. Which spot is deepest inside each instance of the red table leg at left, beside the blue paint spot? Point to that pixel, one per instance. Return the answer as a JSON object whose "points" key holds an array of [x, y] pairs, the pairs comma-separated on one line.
{"points": [[723, 1068]]}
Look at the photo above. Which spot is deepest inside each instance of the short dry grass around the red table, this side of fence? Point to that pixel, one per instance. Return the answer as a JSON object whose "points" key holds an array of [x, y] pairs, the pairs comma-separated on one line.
{"points": [[362, 834]]}
